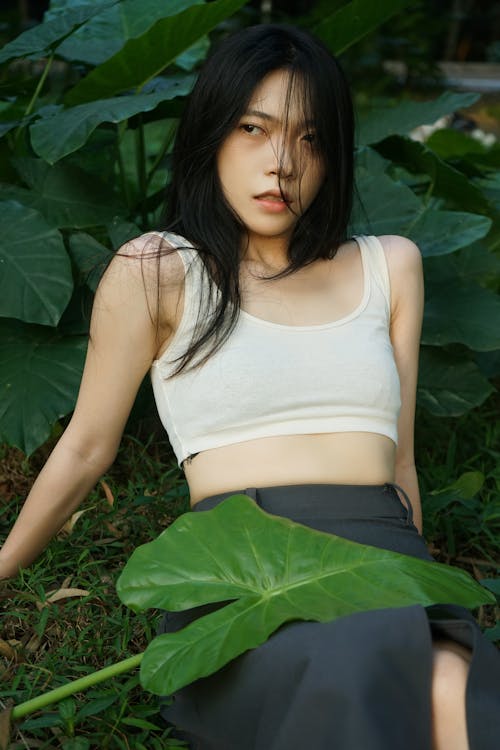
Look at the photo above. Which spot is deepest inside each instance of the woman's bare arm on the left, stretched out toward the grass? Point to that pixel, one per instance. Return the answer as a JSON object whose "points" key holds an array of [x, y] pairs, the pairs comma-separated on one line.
{"points": [[124, 339]]}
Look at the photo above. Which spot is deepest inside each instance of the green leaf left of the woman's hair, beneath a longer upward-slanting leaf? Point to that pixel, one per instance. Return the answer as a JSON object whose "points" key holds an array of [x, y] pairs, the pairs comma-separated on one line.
{"points": [[66, 131]]}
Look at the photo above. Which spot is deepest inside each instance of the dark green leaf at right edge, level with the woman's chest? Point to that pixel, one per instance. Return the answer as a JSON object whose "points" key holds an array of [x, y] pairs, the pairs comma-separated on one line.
{"points": [[462, 312]]}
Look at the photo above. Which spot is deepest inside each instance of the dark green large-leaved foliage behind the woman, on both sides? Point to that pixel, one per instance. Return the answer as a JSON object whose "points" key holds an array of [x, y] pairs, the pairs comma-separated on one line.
{"points": [[85, 147]]}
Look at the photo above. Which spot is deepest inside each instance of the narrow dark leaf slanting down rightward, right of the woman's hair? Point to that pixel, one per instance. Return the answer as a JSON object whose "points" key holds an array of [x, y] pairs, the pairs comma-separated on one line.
{"points": [[447, 182]]}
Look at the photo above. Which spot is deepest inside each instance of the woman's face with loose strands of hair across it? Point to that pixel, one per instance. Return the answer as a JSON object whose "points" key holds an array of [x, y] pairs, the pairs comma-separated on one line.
{"points": [[268, 166]]}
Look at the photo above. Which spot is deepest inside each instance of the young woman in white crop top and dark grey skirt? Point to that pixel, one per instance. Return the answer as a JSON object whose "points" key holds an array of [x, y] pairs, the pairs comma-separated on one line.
{"points": [[283, 357]]}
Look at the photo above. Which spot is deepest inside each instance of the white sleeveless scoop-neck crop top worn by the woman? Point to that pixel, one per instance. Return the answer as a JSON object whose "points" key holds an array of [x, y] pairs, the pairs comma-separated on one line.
{"points": [[270, 379]]}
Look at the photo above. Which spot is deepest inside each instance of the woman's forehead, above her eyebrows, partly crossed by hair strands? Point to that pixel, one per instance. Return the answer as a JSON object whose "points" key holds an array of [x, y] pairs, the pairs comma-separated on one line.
{"points": [[282, 96]]}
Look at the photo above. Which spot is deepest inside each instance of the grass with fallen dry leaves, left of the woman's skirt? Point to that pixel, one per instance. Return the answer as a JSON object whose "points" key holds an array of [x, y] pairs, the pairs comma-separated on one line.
{"points": [[46, 641]]}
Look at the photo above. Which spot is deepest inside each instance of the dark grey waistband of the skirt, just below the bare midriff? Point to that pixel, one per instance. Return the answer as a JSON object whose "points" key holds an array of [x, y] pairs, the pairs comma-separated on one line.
{"points": [[335, 501]]}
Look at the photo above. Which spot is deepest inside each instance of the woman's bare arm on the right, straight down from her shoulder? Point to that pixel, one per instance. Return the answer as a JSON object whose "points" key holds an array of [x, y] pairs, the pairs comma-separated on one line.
{"points": [[404, 263]]}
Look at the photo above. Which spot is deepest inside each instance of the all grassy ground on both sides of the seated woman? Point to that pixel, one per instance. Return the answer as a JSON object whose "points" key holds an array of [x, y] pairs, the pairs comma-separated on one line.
{"points": [[63, 618]]}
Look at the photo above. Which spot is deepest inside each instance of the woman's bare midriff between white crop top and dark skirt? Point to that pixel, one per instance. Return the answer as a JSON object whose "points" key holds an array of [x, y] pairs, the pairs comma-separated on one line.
{"points": [[339, 458]]}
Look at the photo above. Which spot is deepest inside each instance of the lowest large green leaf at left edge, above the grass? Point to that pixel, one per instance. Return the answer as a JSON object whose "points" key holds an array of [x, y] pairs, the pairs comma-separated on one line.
{"points": [[40, 374]]}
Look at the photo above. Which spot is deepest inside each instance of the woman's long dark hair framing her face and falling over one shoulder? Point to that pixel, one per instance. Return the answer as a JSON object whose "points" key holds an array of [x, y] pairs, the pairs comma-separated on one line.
{"points": [[196, 207]]}
